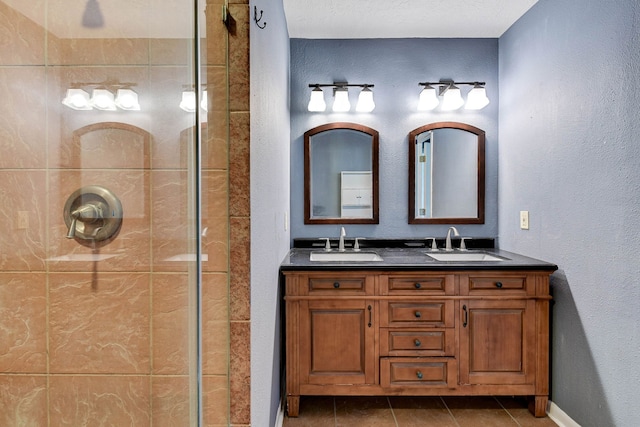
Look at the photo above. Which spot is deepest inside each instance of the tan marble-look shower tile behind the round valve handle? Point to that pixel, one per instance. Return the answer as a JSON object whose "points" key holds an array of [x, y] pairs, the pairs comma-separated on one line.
{"points": [[129, 250]]}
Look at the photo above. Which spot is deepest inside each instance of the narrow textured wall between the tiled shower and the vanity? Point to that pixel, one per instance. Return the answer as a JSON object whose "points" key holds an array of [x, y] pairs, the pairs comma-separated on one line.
{"points": [[269, 204]]}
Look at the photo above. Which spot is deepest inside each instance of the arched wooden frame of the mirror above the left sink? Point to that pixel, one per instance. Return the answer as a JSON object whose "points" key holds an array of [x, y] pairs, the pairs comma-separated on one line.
{"points": [[374, 170]]}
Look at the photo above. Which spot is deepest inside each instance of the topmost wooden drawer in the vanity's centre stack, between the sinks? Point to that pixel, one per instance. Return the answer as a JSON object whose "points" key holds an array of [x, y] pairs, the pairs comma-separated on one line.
{"points": [[437, 284]]}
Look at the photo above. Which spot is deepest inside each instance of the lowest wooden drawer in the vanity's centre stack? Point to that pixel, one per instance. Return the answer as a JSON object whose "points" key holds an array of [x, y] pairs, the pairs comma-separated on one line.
{"points": [[418, 372]]}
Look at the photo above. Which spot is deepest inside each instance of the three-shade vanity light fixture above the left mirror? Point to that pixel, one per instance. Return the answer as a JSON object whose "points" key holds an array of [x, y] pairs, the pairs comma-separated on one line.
{"points": [[341, 98]]}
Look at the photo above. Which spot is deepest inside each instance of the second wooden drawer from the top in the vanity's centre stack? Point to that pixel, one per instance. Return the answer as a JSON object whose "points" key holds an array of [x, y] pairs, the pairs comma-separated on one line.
{"points": [[435, 314]]}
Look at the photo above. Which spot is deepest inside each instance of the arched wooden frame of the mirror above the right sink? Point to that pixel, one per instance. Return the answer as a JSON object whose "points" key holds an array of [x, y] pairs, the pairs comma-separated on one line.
{"points": [[479, 219]]}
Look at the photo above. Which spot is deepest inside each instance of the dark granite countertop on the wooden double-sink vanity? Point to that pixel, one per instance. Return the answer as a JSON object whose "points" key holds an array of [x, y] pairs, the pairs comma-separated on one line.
{"points": [[413, 258]]}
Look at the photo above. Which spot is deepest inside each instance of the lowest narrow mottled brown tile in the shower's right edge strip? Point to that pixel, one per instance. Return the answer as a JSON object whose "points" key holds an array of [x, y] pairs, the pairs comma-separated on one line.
{"points": [[240, 371]]}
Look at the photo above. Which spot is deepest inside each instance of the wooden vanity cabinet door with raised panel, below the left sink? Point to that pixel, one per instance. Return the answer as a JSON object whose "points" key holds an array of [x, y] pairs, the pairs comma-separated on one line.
{"points": [[337, 342]]}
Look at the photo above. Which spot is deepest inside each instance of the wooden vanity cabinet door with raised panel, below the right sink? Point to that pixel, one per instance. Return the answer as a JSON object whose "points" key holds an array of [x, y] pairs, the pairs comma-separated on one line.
{"points": [[497, 342]]}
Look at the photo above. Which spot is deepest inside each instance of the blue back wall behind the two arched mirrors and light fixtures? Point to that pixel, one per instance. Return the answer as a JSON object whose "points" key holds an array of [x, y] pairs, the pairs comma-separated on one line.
{"points": [[395, 67]]}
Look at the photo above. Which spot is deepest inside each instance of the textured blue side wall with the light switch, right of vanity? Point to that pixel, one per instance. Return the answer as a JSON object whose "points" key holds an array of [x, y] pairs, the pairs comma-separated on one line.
{"points": [[570, 154]]}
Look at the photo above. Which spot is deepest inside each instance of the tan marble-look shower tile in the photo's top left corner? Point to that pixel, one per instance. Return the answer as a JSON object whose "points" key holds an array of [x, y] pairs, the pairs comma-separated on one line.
{"points": [[23, 39]]}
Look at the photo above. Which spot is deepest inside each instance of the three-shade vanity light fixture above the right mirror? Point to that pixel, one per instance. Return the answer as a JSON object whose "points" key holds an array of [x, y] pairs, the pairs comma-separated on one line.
{"points": [[451, 96]]}
